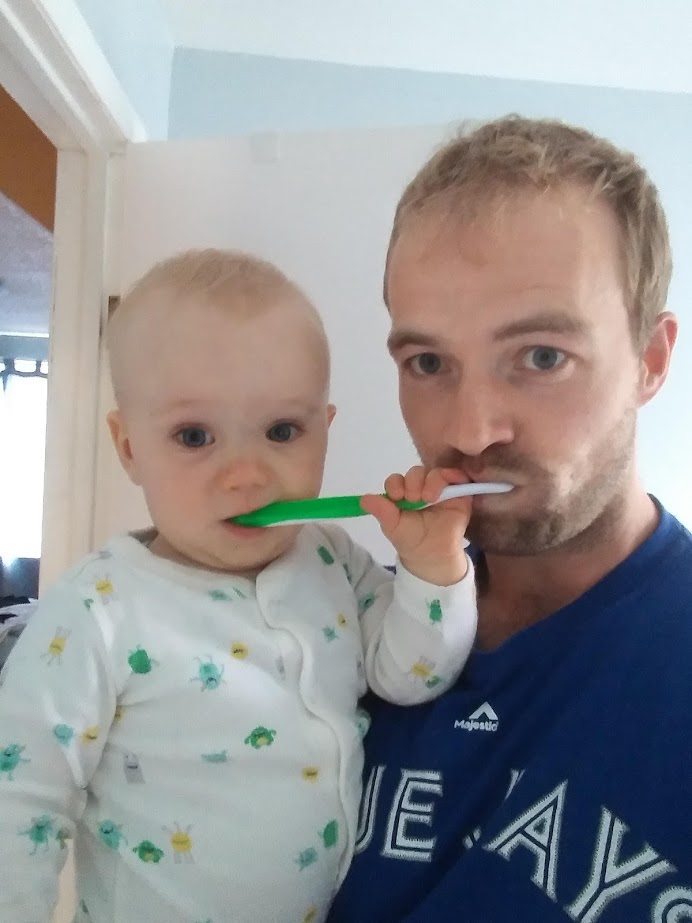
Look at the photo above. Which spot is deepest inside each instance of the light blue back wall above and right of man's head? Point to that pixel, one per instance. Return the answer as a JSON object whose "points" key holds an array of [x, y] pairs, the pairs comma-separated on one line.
{"points": [[217, 94]]}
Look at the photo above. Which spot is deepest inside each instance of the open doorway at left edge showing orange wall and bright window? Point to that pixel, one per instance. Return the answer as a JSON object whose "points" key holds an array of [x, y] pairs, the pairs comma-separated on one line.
{"points": [[28, 170]]}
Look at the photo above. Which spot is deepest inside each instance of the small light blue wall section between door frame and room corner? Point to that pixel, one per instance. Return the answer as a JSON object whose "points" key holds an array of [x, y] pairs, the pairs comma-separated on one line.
{"points": [[133, 35]]}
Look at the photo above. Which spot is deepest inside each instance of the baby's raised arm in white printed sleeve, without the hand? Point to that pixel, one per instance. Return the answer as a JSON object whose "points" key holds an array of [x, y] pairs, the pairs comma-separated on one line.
{"points": [[416, 635]]}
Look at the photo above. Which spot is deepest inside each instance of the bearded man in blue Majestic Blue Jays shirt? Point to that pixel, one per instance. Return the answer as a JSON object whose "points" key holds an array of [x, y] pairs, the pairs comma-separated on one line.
{"points": [[526, 281]]}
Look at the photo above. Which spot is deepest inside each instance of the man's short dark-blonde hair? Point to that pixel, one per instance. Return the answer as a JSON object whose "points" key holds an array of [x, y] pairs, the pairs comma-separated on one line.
{"points": [[488, 164]]}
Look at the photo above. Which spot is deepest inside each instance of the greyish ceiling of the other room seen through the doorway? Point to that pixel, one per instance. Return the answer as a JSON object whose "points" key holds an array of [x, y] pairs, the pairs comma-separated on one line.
{"points": [[26, 256]]}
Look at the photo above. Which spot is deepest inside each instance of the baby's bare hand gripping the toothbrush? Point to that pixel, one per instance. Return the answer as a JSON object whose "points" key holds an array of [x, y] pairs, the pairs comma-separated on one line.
{"points": [[429, 542]]}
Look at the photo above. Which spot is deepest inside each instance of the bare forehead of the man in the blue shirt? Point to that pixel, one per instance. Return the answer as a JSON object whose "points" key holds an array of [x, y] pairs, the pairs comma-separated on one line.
{"points": [[542, 251]]}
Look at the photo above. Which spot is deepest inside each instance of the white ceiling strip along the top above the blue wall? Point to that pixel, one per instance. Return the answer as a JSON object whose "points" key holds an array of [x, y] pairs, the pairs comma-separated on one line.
{"points": [[634, 44]]}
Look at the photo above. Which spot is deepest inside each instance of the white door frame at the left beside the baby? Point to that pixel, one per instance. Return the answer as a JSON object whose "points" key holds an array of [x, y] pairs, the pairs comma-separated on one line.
{"points": [[53, 67]]}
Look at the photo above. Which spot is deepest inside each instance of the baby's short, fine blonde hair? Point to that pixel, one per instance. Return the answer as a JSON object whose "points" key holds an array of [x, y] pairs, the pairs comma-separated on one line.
{"points": [[240, 282]]}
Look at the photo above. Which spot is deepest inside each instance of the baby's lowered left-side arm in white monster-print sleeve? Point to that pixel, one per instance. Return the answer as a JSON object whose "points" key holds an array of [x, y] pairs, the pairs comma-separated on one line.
{"points": [[56, 706]]}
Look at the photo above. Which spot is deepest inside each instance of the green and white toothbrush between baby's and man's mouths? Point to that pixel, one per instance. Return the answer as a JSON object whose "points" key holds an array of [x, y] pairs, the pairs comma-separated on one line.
{"points": [[292, 512]]}
